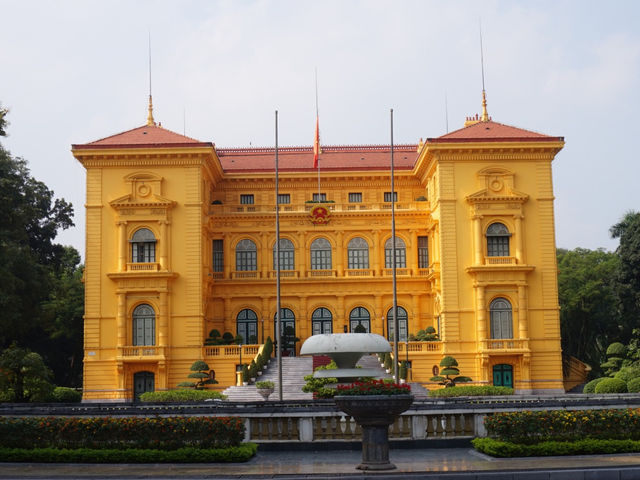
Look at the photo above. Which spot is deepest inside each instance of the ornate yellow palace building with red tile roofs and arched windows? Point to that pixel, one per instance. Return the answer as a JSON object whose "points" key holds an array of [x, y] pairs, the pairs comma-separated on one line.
{"points": [[180, 239]]}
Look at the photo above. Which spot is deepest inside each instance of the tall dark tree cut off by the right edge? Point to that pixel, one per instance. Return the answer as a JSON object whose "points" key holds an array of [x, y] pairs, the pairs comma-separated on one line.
{"points": [[627, 276]]}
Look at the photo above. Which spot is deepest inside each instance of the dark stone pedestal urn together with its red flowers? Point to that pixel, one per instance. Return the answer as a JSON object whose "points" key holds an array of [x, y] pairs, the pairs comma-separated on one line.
{"points": [[374, 404]]}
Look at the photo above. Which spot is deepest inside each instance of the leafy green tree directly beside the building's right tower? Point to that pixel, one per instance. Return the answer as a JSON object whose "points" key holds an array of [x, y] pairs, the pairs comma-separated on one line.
{"points": [[587, 299]]}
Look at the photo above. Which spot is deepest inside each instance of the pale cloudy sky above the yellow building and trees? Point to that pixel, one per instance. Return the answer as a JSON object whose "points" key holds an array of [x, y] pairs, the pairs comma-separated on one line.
{"points": [[73, 71]]}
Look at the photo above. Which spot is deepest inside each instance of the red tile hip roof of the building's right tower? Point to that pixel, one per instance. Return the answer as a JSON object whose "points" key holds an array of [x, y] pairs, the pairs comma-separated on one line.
{"points": [[492, 132]]}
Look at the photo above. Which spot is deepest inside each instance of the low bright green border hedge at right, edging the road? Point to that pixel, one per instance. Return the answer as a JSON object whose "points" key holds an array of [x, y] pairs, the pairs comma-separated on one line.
{"points": [[589, 446]]}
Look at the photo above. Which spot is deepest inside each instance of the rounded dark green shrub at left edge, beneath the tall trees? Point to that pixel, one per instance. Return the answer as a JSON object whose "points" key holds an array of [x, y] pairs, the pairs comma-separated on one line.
{"points": [[24, 376]]}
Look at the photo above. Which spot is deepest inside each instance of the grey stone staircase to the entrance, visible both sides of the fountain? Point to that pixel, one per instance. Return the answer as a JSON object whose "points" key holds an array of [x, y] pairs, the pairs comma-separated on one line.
{"points": [[293, 371]]}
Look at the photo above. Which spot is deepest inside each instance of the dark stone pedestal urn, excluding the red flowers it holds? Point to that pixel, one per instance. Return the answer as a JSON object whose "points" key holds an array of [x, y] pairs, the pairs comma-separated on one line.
{"points": [[374, 414]]}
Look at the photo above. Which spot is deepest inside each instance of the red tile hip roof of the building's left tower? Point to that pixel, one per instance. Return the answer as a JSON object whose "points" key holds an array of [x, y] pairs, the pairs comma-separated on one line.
{"points": [[145, 136]]}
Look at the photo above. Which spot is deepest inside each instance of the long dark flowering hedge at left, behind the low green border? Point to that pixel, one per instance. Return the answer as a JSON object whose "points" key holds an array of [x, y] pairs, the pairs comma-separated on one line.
{"points": [[167, 433]]}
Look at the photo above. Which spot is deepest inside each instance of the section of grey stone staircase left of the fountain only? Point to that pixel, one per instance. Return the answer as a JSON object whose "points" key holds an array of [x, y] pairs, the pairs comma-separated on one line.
{"points": [[293, 371]]}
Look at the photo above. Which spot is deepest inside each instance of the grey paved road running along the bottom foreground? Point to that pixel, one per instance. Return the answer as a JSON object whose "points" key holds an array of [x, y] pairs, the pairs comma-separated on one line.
{"points": [[440, 464]]}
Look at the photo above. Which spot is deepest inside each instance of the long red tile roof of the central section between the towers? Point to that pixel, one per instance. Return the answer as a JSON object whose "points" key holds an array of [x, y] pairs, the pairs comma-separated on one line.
{"points": [[332, 158]]}
